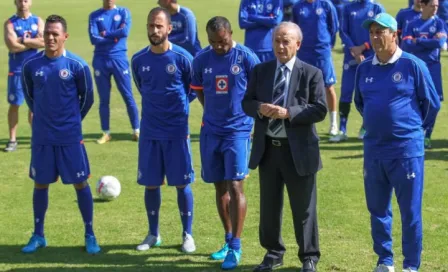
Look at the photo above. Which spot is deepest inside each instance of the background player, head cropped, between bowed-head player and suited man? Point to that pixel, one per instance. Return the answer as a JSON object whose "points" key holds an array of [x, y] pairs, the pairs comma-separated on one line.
{"points": [[259, 18]]}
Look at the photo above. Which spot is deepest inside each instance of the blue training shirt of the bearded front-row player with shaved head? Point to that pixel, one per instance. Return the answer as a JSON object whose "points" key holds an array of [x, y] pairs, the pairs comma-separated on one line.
{"points": [[163, 81]]}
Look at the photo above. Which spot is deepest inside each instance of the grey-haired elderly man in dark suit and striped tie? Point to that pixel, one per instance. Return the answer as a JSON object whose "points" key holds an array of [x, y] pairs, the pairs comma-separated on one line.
{"points": [[286, 97]]}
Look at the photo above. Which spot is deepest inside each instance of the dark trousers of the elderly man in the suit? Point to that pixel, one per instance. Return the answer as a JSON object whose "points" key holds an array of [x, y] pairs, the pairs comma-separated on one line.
{"points": [[277, 170]]}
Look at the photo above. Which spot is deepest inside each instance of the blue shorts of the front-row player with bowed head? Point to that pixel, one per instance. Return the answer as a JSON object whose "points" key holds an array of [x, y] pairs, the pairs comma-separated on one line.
{"points": [[222, 159]]}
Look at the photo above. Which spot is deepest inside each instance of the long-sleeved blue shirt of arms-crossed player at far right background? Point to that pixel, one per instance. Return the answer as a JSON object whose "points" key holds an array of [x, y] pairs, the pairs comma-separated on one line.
{"points": [[429, 35]]}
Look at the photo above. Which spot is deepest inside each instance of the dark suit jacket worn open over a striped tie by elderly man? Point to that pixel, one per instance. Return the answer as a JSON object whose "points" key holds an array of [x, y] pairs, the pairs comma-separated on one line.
{"points": [[306, 104]]}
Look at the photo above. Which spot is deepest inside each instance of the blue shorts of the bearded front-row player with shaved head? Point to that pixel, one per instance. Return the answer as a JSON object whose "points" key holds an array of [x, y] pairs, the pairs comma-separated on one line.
{"points": [[160, 158]]}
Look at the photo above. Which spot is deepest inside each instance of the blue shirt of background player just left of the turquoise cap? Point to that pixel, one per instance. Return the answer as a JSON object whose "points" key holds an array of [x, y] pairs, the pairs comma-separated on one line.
{"points": [[351, 32]]}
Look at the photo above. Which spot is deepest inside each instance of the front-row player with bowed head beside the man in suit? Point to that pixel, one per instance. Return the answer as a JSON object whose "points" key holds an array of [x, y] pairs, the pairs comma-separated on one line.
{"points": [[220, 76]]}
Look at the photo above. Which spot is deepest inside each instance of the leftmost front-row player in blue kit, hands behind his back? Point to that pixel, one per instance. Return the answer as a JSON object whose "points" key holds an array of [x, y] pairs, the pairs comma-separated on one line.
{"points": [[59, 91]]}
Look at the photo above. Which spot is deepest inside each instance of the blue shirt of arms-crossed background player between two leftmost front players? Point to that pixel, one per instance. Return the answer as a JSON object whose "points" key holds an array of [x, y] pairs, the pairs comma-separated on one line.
{"points": [[116, 23]]}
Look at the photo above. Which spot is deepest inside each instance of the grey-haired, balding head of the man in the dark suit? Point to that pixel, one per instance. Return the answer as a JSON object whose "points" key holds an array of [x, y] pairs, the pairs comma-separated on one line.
{"points": [[286, 40]]}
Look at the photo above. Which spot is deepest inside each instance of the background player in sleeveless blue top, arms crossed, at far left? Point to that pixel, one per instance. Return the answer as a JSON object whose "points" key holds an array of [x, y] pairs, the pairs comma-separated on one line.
{"points": [[23, 36]]}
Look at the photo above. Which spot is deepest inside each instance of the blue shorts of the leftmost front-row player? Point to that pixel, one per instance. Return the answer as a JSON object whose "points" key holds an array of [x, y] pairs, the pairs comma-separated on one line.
{"points": [[70, 162]]}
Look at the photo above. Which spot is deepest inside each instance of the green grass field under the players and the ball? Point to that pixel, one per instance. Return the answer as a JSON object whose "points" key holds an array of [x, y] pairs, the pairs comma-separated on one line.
{"points": [[121, 224]]}
